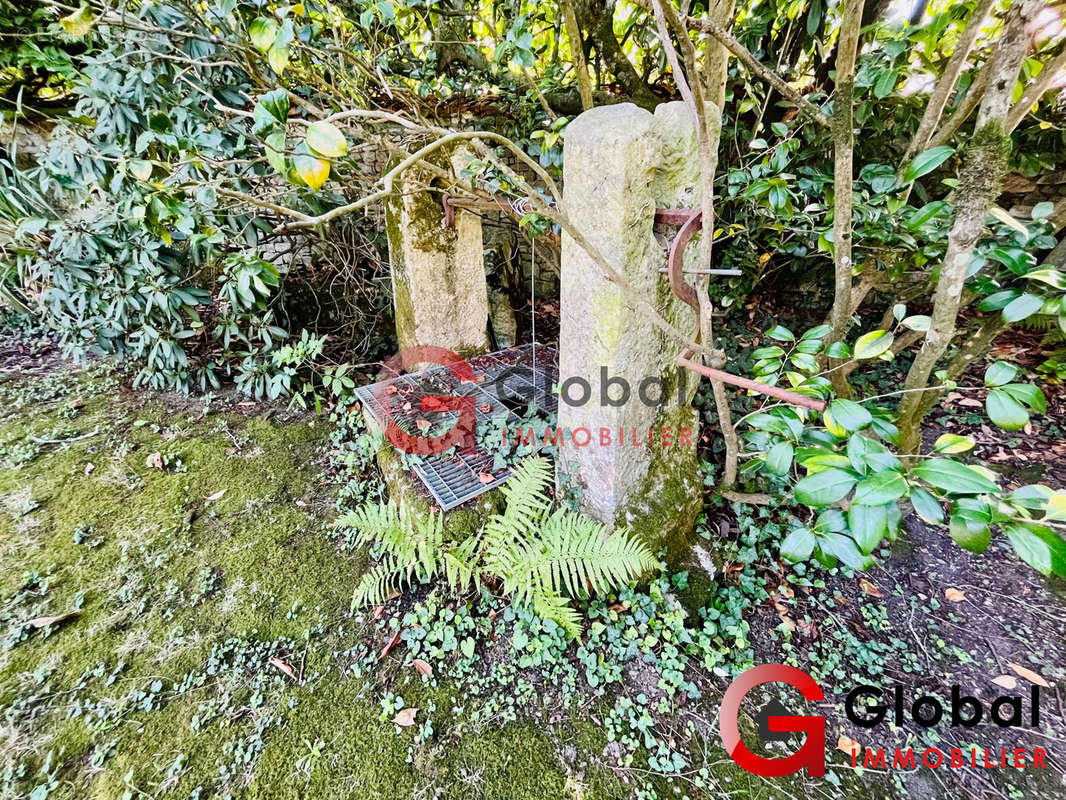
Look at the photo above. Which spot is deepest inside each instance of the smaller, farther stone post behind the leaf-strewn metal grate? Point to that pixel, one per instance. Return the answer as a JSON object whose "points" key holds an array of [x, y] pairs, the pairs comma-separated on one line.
{"points": [[439, 275]]}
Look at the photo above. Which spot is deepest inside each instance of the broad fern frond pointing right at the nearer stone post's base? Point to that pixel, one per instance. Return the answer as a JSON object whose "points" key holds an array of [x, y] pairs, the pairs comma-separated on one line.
{"points": [[573, 555]]}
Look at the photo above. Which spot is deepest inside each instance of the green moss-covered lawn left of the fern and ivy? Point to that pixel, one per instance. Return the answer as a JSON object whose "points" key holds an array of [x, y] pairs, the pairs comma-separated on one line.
{"points": [[183, 584]]}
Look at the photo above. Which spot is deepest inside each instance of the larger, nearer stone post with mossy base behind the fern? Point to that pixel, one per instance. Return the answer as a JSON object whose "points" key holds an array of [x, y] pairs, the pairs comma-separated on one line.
{"points": [[638, 468]]}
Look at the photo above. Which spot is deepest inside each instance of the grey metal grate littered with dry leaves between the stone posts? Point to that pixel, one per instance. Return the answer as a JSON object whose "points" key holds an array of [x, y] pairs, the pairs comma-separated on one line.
{"points": [[511, 379]]}
